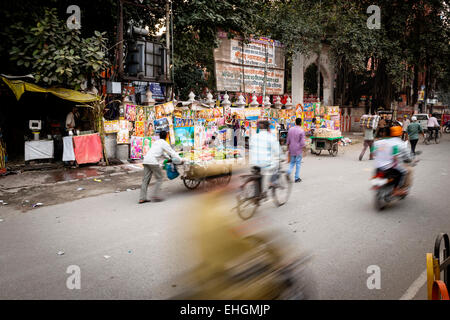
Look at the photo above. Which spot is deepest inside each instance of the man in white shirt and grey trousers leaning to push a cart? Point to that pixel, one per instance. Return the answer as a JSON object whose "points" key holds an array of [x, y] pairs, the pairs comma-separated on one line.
{"points": [[152, 165]]}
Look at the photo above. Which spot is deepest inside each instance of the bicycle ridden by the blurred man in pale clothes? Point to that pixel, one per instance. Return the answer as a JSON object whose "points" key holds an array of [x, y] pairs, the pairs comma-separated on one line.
{"points": [[251, 194]]}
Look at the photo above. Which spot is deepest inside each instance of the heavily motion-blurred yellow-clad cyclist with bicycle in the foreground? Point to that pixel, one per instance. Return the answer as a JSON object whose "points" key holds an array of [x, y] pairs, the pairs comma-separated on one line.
{"points": [[242, 261]]}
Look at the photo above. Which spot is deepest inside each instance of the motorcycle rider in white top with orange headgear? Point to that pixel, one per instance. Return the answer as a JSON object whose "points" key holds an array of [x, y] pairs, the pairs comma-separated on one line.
{"points": [[390, 153]]}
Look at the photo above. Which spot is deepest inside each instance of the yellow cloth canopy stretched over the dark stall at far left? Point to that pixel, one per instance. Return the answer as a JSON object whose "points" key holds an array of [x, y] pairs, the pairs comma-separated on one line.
{"points": [[20, 86]]}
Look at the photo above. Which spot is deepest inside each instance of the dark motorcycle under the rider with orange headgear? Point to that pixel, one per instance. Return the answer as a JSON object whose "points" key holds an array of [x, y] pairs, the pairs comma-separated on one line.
{"points": [[383, 185]]}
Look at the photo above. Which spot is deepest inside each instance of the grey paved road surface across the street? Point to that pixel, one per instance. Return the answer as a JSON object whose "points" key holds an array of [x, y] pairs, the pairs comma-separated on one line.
{"points": [[330, 213]]}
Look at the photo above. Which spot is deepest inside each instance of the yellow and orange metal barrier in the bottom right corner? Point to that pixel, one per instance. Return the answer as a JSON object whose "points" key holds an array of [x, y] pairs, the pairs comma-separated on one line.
{"points": [[437, 289]]}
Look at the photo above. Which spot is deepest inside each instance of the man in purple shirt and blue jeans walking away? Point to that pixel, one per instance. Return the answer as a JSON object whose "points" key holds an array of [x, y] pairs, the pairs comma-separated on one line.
{"points": [[296, 146]]}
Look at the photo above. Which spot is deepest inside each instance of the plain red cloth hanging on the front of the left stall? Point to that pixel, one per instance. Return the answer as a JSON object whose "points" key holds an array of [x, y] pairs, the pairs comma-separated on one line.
{"points": [[87, 148]]}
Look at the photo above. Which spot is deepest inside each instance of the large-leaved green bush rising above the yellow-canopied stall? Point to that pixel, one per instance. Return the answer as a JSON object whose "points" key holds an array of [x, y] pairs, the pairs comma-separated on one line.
{"points": [[56, 55]]}
